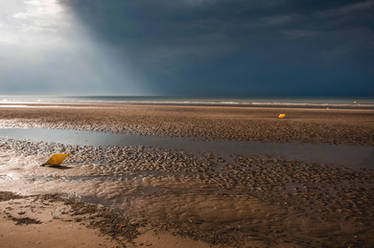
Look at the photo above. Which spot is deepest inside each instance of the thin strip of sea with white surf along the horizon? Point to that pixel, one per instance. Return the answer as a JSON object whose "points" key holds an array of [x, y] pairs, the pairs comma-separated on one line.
{"points": [[313, 102]]}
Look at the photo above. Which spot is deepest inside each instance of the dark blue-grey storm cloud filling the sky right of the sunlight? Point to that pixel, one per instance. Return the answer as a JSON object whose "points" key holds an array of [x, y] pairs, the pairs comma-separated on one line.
{"points": [[239, 47]]}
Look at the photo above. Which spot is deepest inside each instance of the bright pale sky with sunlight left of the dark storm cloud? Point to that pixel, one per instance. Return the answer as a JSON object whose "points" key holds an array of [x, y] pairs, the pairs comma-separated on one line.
{"points": [[44, 49]]}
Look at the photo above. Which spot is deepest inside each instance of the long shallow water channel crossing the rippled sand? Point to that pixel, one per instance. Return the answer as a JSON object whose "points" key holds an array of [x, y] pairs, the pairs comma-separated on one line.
{"points": [[345, 155]]}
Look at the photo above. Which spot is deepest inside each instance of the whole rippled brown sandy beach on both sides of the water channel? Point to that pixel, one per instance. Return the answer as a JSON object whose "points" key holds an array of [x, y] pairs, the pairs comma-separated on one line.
{"points": [[153, 196]]}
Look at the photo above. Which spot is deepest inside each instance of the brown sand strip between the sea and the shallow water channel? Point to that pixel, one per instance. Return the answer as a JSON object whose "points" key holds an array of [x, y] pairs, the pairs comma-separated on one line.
{"points": [[332, 126]]}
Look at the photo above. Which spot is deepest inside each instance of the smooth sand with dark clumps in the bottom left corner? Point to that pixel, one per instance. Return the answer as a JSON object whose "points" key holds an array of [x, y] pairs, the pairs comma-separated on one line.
{"points": [[39, 221]]}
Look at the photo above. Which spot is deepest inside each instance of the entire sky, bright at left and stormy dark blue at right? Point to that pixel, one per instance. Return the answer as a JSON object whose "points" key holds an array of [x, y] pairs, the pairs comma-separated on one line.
{"points": [[218, 48]]}
